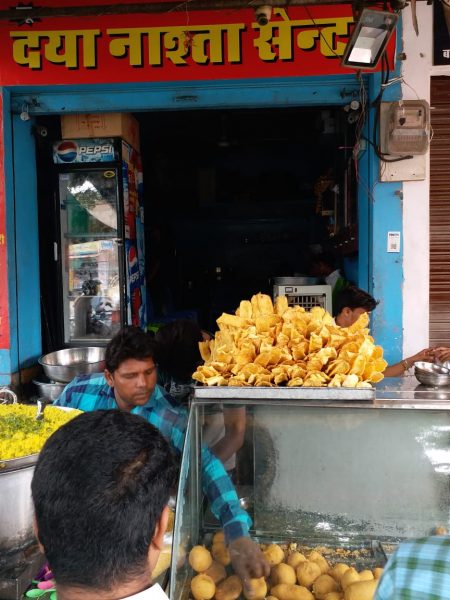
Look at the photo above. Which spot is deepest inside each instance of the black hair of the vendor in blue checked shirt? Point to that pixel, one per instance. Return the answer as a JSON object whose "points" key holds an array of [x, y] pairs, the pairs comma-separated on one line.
{"points": [[129, 342]]}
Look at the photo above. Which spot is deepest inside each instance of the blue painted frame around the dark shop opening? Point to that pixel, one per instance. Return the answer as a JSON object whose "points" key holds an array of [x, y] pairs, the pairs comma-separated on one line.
{"points": [[380, 209]]}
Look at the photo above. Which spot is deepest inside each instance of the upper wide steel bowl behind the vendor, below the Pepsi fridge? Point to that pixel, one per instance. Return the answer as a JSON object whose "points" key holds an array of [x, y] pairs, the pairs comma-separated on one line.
{"points": [[64, 365]]}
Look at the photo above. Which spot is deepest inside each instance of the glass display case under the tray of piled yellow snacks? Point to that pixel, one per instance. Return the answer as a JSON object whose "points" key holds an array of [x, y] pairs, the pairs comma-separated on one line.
{"points": [[337, 469]]}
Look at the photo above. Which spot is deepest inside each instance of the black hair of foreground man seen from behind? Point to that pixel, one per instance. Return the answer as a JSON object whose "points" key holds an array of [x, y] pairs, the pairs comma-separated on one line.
{"points": [[99, 487]]}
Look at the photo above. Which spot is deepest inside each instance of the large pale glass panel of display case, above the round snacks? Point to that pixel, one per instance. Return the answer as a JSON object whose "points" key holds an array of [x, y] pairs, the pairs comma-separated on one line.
{"points": [[333, 473]]}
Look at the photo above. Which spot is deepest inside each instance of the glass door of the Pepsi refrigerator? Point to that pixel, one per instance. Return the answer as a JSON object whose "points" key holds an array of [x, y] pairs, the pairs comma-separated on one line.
{"points": [[91, 255]]}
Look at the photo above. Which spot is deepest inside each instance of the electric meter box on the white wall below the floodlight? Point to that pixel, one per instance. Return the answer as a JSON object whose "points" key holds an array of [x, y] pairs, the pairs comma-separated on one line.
{"points": [[408, 127]]}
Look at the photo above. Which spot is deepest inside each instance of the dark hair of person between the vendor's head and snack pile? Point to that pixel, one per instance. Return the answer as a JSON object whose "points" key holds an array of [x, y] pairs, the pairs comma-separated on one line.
{"points": [[178, 353]]}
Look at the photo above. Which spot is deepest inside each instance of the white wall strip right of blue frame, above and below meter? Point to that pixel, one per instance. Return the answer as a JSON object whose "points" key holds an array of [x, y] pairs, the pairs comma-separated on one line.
{"points": [[417, 70]]}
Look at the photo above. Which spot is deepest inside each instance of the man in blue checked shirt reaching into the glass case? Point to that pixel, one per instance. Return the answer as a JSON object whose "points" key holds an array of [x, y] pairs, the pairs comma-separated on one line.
{"points": [[129, 383]]}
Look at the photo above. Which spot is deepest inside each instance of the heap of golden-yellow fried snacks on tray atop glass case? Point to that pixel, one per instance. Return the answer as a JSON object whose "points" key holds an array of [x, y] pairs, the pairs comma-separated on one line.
{"points": [[267, 345]]}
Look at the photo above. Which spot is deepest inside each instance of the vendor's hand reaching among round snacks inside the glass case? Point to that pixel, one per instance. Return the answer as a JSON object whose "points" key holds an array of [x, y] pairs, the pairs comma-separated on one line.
{"points": [[248, 562]]}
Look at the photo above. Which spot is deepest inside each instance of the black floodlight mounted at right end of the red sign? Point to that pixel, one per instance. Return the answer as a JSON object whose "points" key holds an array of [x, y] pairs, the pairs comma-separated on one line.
{"points": [[369, 39]]}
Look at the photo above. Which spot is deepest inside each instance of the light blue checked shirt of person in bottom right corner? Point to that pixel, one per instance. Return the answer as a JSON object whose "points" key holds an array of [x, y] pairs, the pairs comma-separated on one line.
{"points": [[418, 570]]}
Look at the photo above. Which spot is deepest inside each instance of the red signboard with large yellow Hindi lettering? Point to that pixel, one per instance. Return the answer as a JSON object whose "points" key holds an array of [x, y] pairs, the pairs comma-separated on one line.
{"points": [[176, 46]]}
